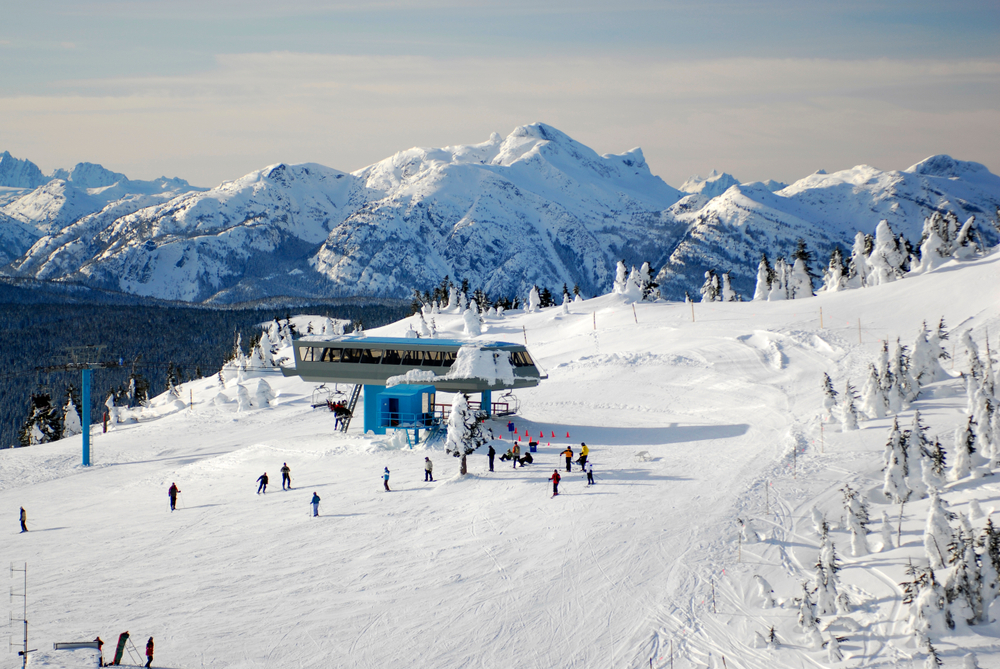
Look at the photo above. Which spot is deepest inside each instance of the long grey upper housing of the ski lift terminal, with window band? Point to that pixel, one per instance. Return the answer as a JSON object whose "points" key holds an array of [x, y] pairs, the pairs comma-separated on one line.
{"points": [[374, 360]]}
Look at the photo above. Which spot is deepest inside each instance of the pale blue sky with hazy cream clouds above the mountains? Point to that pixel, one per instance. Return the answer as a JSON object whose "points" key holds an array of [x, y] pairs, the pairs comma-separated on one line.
{"points": [[212, 90]]}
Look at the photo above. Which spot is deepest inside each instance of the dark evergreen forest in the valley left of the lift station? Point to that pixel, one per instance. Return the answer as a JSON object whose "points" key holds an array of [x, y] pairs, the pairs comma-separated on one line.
{"points": [[158, 344]]}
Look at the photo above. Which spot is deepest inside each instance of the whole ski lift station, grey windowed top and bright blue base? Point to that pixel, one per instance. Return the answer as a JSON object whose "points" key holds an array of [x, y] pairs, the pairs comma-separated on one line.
{"points": [[372, 361]]}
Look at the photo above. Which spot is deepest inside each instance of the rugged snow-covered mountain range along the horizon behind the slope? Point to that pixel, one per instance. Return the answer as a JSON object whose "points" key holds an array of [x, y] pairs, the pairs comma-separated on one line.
{"points": [[534, 208]]}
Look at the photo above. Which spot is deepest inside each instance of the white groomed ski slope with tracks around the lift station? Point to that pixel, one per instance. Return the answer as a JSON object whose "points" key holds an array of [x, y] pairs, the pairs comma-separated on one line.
{"points": [[696, 416]]}
